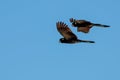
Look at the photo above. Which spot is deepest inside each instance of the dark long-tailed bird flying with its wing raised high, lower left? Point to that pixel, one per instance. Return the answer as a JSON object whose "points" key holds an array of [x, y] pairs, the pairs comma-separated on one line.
{"points": [[68, 35]]}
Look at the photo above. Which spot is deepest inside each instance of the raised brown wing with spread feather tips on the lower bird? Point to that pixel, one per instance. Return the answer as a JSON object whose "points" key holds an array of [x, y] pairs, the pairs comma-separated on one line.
{"points": [[65, 31]]}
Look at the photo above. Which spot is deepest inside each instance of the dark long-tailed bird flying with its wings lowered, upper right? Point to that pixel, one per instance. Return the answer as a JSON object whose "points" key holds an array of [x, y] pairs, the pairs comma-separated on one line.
{"points": [[84, 26]]}
